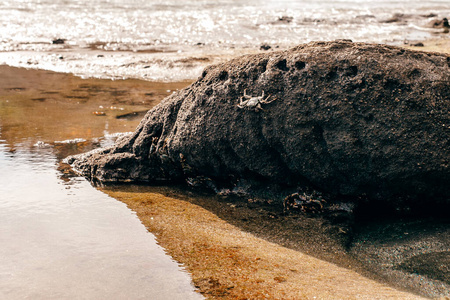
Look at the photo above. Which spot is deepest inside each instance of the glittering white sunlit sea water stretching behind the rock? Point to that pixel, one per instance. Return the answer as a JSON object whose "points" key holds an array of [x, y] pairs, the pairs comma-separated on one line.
{"points": [[174, 39]]}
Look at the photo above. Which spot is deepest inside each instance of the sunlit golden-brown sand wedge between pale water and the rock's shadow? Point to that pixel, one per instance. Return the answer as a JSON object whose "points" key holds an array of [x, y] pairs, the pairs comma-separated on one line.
{"points": [[228, 263]]}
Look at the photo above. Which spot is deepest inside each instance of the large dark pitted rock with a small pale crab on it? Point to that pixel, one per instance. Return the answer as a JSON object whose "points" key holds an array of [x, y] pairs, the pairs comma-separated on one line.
{"points": [[349, 119]]}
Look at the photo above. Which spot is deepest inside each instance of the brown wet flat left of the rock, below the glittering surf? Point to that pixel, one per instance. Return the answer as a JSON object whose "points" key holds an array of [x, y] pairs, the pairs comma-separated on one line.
{"points": [[54, 106]]}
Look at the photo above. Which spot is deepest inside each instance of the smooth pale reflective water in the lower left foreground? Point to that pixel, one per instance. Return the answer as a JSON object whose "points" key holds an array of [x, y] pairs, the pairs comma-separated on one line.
{"points": [[63, 239]]}
